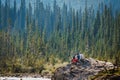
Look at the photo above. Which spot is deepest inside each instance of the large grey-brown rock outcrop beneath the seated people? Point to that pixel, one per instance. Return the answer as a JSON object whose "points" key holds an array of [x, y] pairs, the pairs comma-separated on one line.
{"points": [[82, 70]]}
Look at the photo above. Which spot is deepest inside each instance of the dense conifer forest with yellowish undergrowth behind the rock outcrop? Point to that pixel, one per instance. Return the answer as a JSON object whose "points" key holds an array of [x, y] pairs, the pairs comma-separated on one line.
{"points": [[31, 39]]}
